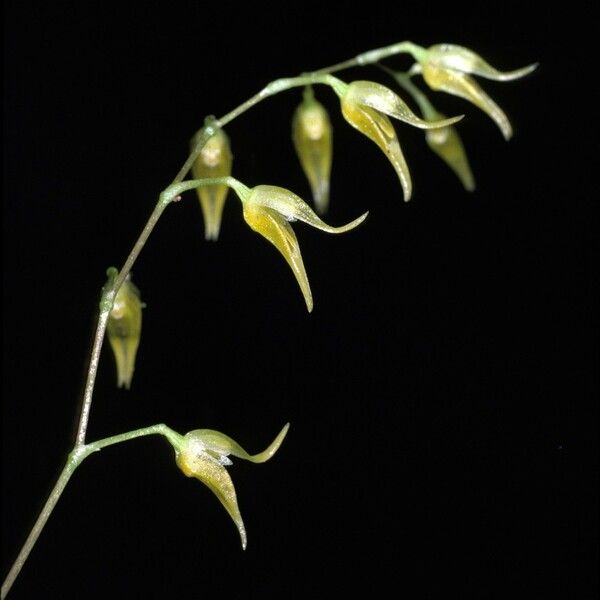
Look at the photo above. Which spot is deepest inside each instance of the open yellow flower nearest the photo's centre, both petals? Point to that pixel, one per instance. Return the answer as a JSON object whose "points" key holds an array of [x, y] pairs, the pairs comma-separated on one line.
{"points": [[269, 209]]}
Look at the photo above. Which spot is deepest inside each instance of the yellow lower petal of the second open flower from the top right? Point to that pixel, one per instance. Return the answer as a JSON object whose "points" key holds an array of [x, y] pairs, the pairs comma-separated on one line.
{"points": [[379, 128]]}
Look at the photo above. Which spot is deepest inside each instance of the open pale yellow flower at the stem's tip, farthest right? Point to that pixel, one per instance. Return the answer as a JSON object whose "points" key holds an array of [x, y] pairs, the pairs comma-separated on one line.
{"points": [[447, 68]]}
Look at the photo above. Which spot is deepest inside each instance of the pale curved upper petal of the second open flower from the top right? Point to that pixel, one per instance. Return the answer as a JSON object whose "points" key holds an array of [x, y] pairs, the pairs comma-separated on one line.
{"points": [[382, 99]]}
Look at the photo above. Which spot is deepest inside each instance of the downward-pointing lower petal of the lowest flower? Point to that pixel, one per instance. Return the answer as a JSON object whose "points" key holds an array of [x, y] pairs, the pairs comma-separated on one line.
{"points": [[195, 463]]}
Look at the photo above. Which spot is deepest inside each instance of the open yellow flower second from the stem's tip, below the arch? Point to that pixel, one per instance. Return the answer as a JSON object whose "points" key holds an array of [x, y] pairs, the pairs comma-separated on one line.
{"points": [[365, 105]]}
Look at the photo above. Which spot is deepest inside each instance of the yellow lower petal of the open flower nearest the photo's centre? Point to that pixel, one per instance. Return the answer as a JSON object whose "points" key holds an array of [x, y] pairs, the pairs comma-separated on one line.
{"points": [[270, 224]]}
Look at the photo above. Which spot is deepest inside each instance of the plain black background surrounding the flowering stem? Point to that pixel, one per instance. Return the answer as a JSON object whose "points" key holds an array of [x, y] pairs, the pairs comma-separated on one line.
{"points": [[442, 395]]}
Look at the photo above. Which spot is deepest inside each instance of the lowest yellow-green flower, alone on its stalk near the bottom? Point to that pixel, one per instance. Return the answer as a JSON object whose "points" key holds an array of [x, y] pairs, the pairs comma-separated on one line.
{"points": [[203, 454]]}
